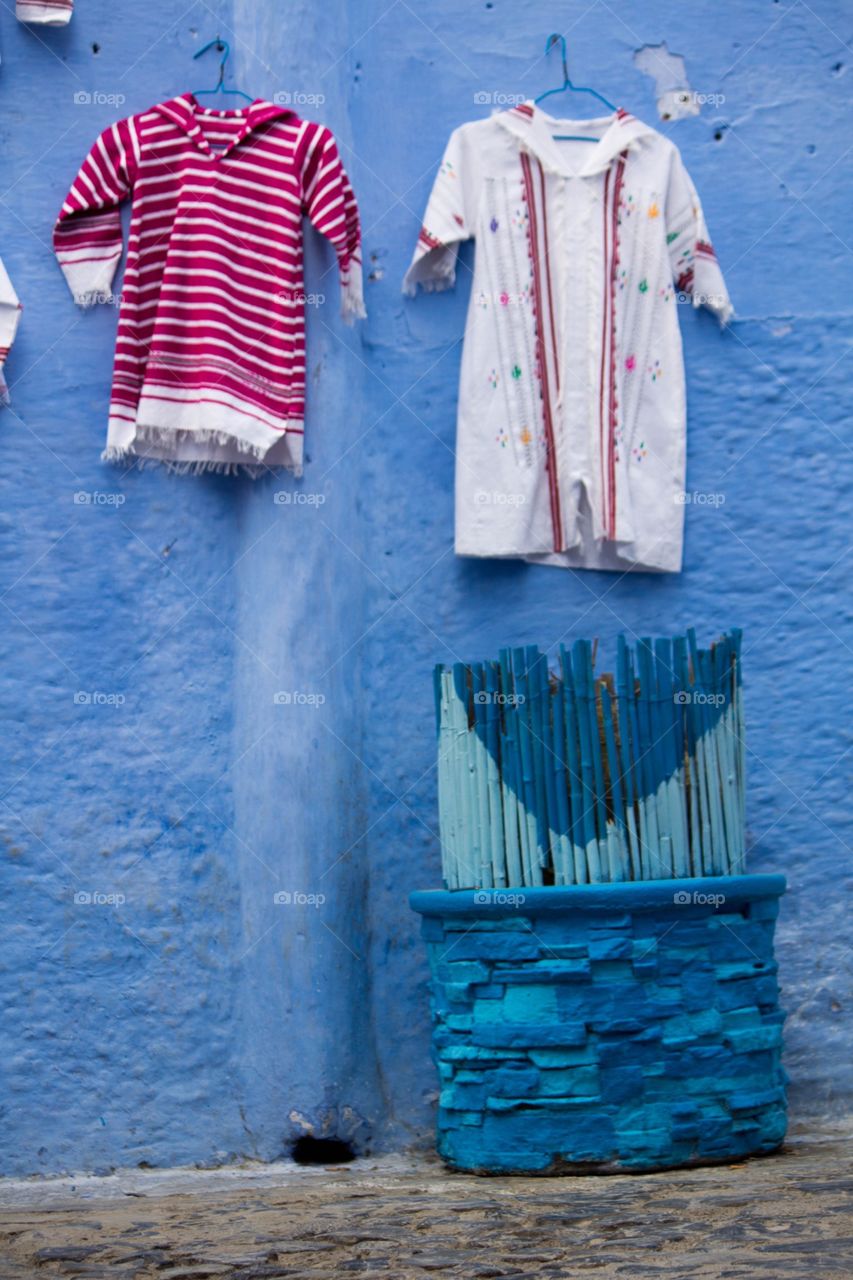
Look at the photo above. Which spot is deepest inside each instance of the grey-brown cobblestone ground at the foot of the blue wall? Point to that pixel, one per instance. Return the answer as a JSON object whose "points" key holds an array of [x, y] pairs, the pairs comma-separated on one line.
{"points": [[784, 1217]]}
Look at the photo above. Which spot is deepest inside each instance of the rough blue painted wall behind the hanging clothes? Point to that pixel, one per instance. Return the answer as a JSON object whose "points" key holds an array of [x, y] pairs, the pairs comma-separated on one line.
{"points": [[199, 1020]]}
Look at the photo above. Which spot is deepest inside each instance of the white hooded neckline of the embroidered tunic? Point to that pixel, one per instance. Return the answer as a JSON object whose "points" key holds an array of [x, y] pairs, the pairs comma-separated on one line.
{"points": [[532, 127]]}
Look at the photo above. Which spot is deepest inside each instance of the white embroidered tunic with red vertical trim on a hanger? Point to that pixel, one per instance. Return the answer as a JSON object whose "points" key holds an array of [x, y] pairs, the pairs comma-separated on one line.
{"points": [[572, 413]]}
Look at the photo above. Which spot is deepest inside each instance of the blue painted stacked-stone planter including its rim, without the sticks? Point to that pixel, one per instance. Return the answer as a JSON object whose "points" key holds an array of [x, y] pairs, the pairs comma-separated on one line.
{"points": [[606, 1027]]}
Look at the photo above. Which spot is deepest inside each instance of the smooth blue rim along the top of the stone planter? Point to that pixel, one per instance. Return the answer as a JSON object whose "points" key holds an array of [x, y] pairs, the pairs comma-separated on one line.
{"points": [[635, 895]]}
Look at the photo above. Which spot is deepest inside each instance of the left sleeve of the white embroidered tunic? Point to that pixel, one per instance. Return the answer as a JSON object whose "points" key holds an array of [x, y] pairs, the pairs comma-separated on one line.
{"points": [[450, 220]]}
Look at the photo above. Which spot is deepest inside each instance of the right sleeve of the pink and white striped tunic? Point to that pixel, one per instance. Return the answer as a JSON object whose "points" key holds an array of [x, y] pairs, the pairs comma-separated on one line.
{"points": [[330, 204]]}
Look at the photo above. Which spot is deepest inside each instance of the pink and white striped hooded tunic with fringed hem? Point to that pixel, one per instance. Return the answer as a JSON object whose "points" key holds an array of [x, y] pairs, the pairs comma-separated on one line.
{"points": [[211, 351]]}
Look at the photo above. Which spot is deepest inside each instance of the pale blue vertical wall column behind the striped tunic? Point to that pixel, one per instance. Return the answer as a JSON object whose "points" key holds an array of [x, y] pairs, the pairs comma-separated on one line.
{"points": [[307, 1052]]}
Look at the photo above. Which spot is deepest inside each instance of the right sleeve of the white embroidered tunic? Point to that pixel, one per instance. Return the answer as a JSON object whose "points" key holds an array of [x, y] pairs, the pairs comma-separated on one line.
{"points": [[695, 263]]}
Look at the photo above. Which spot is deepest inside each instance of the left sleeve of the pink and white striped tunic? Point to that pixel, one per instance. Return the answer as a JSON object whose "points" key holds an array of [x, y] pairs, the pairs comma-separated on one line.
{"points": [[88, 236]]}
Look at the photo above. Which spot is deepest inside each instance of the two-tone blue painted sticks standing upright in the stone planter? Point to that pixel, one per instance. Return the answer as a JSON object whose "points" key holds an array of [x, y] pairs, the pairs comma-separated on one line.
{"points": [[567, 778]]}
